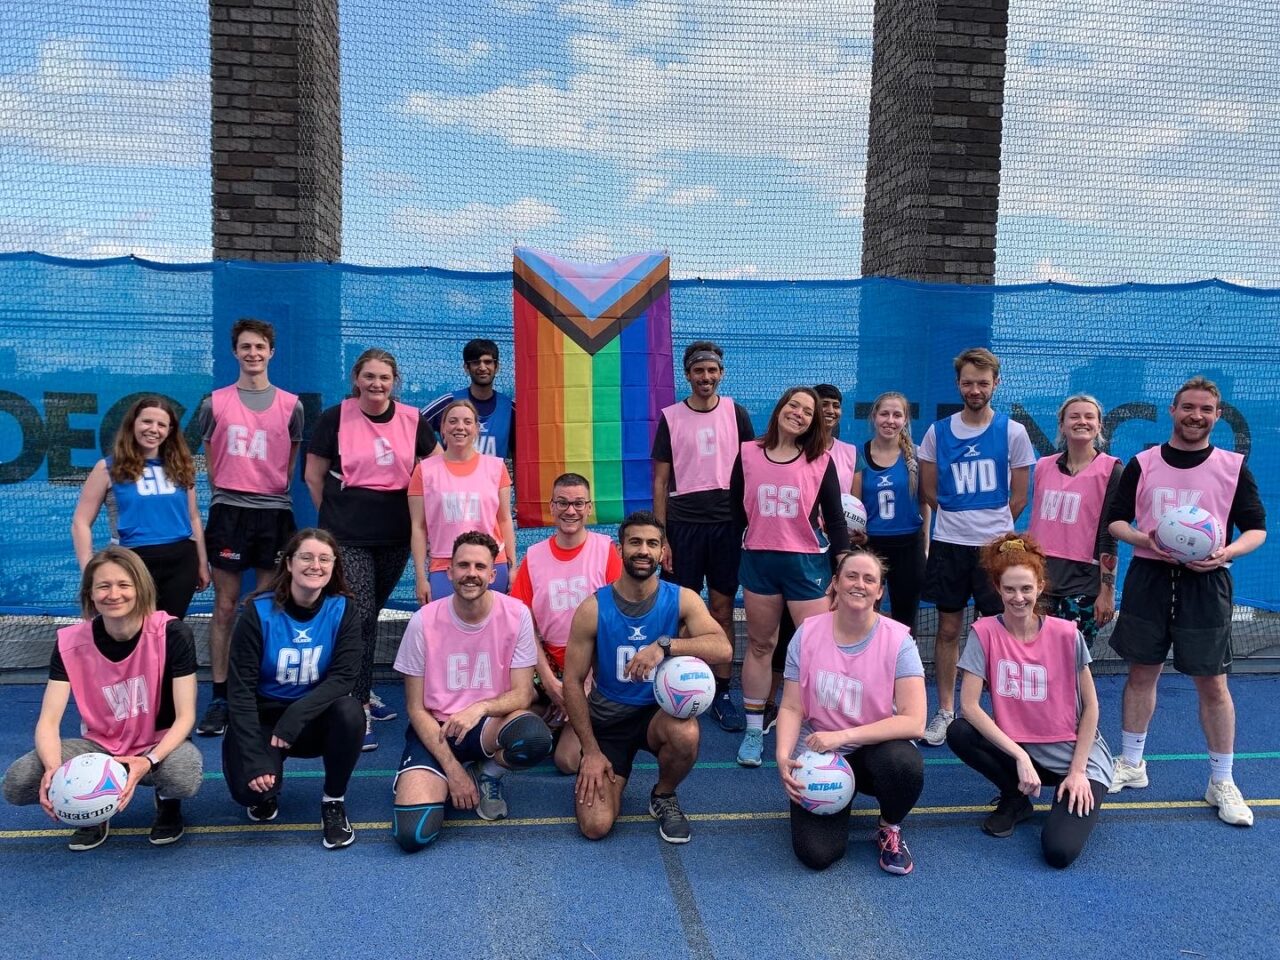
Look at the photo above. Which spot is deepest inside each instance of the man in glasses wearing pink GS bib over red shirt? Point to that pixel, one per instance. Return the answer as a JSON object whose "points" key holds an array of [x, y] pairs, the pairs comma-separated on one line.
{"points": [[555, 578]]}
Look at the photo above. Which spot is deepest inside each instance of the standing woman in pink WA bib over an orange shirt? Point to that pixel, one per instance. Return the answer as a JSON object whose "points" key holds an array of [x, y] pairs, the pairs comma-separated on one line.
{"points": [[460, 492]]}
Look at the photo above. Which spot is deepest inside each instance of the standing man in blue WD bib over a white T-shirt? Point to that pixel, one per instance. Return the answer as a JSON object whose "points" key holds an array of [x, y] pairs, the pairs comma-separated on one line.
{"points": [[975, 472]]}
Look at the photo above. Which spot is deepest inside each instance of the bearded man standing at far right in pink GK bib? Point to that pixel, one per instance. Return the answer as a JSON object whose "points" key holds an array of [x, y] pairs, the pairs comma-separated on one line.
{"points": [[1186, 607]]}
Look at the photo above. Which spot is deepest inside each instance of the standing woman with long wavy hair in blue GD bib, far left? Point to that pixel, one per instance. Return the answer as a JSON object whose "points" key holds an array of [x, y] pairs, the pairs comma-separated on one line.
{"points": [[149, 486]]}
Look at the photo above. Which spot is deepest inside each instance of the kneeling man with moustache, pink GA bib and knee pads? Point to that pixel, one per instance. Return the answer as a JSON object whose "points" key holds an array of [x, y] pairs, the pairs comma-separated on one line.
{"points": [[469, 664]]}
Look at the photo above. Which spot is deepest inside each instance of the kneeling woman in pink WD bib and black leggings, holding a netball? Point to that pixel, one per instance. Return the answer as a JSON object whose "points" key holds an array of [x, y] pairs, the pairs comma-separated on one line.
{"points": [[854, 685]]}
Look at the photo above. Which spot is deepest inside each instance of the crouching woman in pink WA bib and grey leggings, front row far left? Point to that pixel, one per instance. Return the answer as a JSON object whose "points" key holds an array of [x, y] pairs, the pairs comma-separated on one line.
{"points": [[132, 671]]}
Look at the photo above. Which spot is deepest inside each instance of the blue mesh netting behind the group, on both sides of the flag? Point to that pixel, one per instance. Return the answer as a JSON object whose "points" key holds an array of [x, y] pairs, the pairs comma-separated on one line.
{"points": [[81, 337]]}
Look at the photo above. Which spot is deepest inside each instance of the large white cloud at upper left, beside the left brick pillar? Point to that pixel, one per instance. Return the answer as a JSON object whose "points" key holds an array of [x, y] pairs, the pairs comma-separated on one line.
{"points": [[76, 106]]}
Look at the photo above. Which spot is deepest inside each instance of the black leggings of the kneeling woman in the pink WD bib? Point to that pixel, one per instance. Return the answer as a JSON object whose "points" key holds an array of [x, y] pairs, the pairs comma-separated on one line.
{"points": [[893, 772]]}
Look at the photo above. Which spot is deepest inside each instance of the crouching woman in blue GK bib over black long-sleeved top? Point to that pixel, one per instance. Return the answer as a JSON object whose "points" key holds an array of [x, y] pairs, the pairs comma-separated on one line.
{"points": [[295, 657]]}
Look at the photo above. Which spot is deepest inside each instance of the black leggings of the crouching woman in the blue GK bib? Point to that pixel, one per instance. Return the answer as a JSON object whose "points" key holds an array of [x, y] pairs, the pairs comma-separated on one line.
{"points": [[336, 735]]}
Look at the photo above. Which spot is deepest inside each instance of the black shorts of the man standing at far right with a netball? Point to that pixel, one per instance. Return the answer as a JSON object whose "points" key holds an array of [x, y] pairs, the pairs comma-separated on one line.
{"points": [[1171, 606]]}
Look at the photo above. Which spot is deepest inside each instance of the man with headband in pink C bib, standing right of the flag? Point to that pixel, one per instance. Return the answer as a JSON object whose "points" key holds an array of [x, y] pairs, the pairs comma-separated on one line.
{"points": [[694, 449]]}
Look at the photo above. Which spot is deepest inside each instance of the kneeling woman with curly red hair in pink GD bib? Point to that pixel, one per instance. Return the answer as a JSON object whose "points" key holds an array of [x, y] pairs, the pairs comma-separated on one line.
{"points": [[1044, 725]]}
